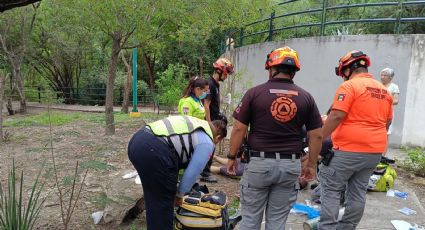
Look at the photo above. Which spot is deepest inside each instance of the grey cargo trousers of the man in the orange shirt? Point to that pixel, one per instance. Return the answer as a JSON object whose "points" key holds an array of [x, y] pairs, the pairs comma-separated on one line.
{"points": [[346, 169]]}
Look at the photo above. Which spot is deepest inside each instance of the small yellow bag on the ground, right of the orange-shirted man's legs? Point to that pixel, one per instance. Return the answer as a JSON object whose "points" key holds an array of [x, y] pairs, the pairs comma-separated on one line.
{"points": [[382, 178]]}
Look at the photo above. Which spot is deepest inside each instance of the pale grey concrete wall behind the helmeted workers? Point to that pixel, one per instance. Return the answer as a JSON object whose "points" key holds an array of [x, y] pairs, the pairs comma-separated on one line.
{"points": [[319, 56]]}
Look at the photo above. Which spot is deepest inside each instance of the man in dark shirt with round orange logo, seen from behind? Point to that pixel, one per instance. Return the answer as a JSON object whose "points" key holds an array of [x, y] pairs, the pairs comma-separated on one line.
{"points": [[275, 112]]}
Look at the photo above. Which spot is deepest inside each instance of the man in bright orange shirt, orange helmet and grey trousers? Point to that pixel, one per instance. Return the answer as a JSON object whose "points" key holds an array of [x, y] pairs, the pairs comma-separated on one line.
{"points": [[360, 116]]}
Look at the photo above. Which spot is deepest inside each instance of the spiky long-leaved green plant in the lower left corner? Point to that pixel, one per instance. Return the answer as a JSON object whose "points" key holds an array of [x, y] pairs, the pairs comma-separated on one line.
{"points": [[15, 213]]}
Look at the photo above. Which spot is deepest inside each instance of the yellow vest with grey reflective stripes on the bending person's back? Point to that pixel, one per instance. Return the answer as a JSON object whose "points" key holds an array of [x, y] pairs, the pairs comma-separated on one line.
{"points": [[175, 125]]}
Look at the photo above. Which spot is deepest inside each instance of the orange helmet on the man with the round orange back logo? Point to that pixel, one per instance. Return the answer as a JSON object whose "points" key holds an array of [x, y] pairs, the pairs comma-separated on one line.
{"points": [[283, 56]]}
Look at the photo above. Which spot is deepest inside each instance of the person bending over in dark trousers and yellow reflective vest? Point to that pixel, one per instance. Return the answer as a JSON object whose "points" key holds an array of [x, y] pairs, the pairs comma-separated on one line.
{"points": [[159, 150]]}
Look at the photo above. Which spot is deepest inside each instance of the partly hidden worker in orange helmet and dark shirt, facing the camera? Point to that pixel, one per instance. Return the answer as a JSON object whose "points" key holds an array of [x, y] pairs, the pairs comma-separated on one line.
{"points": [[222, 69]]}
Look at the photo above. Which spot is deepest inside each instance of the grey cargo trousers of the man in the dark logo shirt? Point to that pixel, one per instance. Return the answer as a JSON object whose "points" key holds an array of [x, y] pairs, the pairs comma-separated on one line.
{"points": [[270, 185]]}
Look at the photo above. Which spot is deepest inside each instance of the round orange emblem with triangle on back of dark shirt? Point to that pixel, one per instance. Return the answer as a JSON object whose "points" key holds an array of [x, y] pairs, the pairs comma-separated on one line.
{"points": [[283, 109]]}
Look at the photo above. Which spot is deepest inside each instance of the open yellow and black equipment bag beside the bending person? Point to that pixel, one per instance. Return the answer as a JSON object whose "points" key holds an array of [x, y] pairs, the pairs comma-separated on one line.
{"points": [[205, 211]]}
